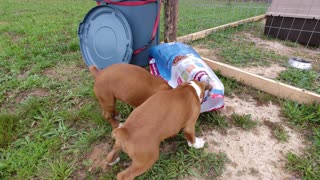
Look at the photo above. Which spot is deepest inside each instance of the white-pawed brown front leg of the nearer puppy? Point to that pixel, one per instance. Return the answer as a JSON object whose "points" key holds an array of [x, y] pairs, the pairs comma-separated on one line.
{"points": [[193, 141]]}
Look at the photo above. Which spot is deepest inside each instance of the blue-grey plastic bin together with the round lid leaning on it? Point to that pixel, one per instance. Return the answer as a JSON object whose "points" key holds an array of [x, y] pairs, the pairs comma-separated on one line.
{"points": [[110, 48]]}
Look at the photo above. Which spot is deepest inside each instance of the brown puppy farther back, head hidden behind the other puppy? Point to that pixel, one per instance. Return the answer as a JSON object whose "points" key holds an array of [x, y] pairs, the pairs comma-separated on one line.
{"points": [[128, 83]]}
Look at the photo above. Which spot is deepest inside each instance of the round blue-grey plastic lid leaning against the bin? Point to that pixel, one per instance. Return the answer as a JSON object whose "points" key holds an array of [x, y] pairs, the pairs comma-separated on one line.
{"points": [[105, 37]]}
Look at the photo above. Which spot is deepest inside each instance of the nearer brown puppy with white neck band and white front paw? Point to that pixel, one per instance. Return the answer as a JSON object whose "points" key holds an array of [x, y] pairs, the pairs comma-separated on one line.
{"points": [[161, 116]]}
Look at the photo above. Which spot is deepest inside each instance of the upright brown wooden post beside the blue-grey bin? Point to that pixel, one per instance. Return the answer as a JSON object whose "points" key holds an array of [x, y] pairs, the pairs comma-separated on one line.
{"points": [[171, 16]]}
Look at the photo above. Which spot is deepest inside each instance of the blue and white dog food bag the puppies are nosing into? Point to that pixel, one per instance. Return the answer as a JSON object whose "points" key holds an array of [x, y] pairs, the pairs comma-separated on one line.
{"points": [[178, 62]]}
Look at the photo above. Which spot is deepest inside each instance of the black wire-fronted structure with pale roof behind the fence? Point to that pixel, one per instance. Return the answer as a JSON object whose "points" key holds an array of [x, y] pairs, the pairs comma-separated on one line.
{"points": [[294, 20]]}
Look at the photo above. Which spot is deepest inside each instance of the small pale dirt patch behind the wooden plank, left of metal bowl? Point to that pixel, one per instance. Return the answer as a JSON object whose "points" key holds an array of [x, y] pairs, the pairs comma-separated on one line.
{"points": [[269, 72]]}
